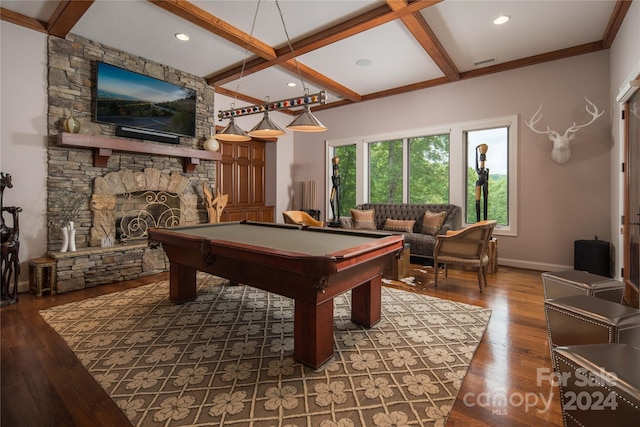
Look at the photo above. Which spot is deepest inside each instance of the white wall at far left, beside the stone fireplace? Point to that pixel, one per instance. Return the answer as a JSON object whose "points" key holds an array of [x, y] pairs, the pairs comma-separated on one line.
{"points": [[23, 127]]}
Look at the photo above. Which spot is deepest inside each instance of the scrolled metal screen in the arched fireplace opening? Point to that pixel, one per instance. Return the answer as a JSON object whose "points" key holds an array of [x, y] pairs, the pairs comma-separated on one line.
{"points": [[137, 211]]}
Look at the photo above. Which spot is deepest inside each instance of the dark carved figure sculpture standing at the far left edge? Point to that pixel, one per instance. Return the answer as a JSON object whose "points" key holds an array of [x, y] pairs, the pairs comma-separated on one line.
{"points": [[10, 247]]}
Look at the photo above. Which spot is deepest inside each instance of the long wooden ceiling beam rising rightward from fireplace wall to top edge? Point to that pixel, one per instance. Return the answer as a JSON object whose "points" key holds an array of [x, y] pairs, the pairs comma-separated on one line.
{"points": [[368, 20]]}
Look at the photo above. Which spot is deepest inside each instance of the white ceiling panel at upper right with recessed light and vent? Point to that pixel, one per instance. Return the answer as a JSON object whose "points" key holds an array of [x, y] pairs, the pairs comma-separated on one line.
{"points": [[466, 28]]}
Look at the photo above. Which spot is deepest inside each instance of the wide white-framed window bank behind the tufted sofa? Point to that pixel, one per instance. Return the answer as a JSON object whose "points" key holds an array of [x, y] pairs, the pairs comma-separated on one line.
{"points": [[433, 166]]}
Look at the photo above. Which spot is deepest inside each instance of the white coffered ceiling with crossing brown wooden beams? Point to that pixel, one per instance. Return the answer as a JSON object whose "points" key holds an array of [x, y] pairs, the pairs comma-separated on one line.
{"points": [[355, 49]]}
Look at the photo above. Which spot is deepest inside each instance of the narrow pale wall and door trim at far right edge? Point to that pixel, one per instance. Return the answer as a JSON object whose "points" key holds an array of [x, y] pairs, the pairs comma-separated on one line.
{"points": [[624, 57]]}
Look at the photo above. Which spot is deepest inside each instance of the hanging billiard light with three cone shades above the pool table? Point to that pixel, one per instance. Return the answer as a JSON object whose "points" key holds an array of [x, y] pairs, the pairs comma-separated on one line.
{"points": [[305, 122]]}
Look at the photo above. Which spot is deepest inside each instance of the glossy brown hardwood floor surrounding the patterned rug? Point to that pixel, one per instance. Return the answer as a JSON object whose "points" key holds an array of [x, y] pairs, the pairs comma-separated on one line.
{"points": [[43, 384]]}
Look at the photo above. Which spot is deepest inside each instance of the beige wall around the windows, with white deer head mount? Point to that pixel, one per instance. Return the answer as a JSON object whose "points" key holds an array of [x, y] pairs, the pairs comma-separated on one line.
{"points": [[557, 204]]}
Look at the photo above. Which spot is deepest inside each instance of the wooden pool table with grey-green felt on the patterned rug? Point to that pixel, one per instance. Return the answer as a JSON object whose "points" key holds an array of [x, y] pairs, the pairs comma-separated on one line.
{"points": [[311, 265]]}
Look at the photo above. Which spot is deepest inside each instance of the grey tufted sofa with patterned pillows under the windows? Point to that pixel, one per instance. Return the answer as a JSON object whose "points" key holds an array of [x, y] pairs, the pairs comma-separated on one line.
{"points": [[422, 239]]}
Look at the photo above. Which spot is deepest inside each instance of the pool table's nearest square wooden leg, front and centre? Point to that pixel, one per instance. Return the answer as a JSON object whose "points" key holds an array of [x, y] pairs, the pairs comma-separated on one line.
{"points": [[313, 332]]}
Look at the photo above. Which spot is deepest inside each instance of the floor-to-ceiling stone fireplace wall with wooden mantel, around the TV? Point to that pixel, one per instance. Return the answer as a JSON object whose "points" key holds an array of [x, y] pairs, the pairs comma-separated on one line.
{"points": [[112, 176]]}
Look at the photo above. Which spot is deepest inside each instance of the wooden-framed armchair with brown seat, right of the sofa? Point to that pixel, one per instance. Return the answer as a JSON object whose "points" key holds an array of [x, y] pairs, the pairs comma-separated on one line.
{"points": [[466, 247]]}
